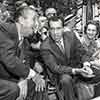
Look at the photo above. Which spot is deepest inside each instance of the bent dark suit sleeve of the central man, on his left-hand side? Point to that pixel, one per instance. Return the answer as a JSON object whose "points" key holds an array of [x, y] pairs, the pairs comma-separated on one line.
{"points": [[52, 64]]}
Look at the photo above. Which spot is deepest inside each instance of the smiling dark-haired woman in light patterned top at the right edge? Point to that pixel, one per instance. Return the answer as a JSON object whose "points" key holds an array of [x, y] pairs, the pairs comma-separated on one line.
{"points": [[91, 43]]}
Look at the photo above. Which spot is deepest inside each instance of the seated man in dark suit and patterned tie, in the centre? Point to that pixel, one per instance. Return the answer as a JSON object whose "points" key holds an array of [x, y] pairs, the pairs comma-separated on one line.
{"points": [[62, 54]]}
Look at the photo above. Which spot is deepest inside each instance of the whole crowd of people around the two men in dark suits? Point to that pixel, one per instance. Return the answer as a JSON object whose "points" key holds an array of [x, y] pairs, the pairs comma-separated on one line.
{"points": [[39, 54]]}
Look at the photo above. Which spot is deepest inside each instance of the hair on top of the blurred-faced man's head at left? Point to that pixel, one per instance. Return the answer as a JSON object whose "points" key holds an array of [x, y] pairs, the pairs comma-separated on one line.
{"points": [[23, 11]]}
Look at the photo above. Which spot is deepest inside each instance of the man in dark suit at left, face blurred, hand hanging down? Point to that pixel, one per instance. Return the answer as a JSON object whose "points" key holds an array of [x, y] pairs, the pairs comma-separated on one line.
{"points": [[12, 67]]}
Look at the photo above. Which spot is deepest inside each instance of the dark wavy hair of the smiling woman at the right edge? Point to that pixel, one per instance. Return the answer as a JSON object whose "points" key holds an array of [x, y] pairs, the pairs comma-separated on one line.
{"points": [[93, 23]]}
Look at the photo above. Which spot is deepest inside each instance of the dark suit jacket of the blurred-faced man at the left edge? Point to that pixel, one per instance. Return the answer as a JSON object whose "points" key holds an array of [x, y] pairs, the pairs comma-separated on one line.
{"points": [[11, 67]]}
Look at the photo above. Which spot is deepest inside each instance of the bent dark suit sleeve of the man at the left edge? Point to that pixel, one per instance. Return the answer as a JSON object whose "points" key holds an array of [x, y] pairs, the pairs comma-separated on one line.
{"points": [[9, 59]]}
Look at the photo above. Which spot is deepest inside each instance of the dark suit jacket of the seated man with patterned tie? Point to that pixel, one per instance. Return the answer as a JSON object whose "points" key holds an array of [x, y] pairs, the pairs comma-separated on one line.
{"points": [[58, 62]]}
